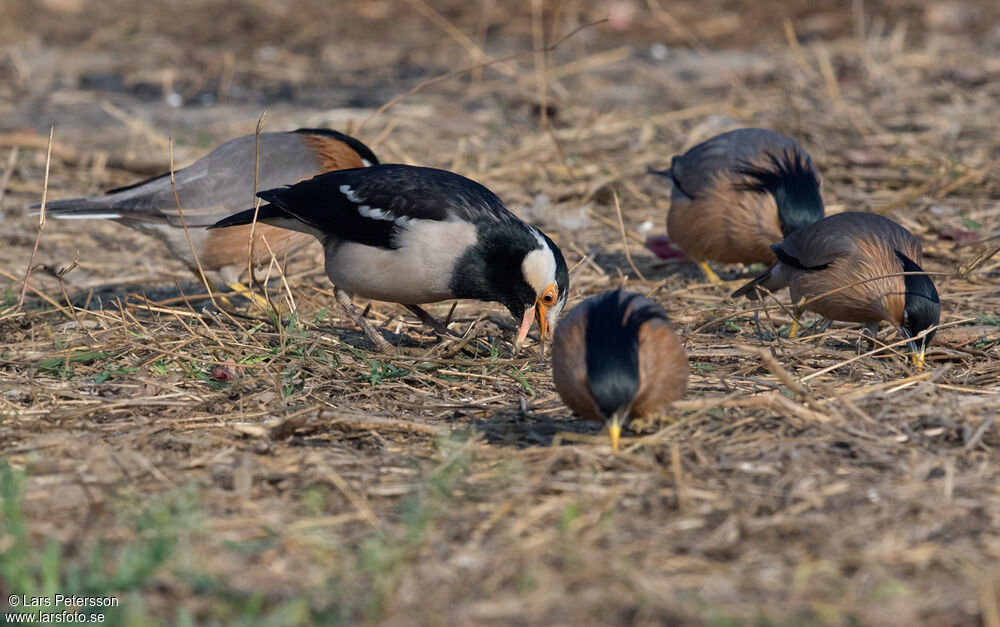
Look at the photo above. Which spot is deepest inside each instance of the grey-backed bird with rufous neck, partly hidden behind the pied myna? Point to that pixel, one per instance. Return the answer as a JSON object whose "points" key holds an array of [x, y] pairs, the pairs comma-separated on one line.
{"points": [[216, 186]]}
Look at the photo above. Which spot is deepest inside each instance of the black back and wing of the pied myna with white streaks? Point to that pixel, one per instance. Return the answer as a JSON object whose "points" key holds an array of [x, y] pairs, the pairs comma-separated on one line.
{"points": [[371, 205]]}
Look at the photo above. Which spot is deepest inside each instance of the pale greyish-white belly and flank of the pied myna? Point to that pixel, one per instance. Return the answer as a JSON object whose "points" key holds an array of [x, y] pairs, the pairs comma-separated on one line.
{"points": [[418, 271]]}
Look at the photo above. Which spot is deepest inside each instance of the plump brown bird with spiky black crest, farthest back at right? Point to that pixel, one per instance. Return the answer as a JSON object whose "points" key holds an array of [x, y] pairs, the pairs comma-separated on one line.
{"points": [[735, 195]]}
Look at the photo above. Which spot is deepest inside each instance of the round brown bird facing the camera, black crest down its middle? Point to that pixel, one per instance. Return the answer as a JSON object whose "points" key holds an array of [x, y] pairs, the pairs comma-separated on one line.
{"points": [[615, 357]]}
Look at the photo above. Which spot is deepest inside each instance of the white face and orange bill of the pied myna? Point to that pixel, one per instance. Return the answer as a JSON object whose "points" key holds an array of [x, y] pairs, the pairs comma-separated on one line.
{"points": [[546, 278]]}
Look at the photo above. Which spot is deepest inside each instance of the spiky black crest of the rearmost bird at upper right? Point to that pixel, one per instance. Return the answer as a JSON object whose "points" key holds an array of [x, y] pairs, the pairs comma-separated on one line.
{"points": [[790, 178]]}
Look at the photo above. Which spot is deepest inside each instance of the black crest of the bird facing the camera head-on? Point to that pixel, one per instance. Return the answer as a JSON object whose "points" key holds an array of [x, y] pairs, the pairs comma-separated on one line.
{"points": [[612, 347]]}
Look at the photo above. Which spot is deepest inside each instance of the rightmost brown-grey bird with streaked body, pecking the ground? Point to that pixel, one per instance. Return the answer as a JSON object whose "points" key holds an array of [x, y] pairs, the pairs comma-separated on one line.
{"points": [[830, 265]]}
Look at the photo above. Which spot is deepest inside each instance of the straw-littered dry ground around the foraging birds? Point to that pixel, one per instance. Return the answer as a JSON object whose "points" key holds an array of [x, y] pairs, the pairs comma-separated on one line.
{"points": [[212, 469]]}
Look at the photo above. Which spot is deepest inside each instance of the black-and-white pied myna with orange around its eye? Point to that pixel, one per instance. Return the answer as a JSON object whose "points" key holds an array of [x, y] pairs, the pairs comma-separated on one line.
{"points": [[412, 235]]}
